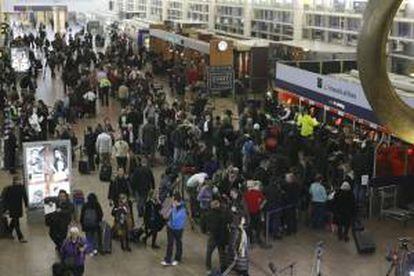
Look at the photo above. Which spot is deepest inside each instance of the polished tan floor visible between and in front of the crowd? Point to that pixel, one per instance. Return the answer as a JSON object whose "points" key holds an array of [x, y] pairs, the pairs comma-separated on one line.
{"points": [[37, 256]]}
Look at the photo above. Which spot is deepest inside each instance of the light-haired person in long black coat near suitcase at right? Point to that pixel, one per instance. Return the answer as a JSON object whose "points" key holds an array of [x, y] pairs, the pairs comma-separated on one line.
{"points": [[344, 210]]}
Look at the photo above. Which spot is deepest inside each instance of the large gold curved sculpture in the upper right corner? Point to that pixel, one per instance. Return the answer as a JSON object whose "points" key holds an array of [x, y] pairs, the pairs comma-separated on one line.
{"points": [[392, 112]]}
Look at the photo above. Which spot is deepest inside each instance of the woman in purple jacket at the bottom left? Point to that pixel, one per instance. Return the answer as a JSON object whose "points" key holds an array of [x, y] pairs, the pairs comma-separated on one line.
{"points": [[73, 252]]}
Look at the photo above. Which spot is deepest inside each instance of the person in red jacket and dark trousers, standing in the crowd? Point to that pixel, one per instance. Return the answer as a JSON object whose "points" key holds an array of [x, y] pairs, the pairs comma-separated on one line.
{"points": [[255, 201]]}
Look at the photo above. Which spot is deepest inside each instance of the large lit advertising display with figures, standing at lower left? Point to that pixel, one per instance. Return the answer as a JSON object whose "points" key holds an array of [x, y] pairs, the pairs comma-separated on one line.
{"points": [[47, 168]]}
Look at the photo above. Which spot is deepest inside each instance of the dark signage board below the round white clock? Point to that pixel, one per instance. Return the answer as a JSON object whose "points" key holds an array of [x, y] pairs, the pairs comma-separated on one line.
{"points": [[220, 78]]}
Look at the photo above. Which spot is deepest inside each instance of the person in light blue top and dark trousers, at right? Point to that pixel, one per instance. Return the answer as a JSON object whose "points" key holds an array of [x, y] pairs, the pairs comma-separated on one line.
{"points": [[318, 202]]}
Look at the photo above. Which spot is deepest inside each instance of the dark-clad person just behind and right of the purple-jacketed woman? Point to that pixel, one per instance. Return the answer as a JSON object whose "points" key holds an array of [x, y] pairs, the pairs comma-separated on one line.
{"points": [[91, 217]]}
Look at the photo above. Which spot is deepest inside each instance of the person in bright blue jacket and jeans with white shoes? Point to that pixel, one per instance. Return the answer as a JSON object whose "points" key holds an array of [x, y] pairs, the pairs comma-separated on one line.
{"points": [[175, 228]]}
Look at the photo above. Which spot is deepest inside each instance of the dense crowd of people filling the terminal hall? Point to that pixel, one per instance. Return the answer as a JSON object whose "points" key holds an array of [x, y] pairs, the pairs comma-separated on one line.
{"points": [[220, 176]]}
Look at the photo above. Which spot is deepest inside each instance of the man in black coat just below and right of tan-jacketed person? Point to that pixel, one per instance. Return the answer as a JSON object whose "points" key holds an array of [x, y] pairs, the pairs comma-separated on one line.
{"points": [[142, 181]]}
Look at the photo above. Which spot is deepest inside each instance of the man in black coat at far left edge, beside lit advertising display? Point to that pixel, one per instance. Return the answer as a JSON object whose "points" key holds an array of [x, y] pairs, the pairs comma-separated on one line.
{"points": [[15, 197]]}
